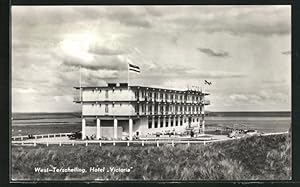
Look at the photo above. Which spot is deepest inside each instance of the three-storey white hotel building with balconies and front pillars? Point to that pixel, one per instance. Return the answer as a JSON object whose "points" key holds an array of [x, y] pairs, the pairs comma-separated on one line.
{"points": [[119, 110]]}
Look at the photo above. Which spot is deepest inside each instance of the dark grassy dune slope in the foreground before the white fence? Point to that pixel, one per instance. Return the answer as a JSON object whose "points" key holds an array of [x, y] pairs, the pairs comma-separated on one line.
{"points": [[250, 158]]}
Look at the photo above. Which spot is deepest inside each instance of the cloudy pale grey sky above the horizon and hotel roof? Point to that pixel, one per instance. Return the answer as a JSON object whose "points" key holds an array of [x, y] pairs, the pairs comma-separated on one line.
{"points": [[245, 51]]}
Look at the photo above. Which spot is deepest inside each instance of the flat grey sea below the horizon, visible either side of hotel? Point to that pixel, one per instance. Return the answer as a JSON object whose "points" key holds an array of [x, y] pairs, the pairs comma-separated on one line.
{"points": [[47, 123]]}
